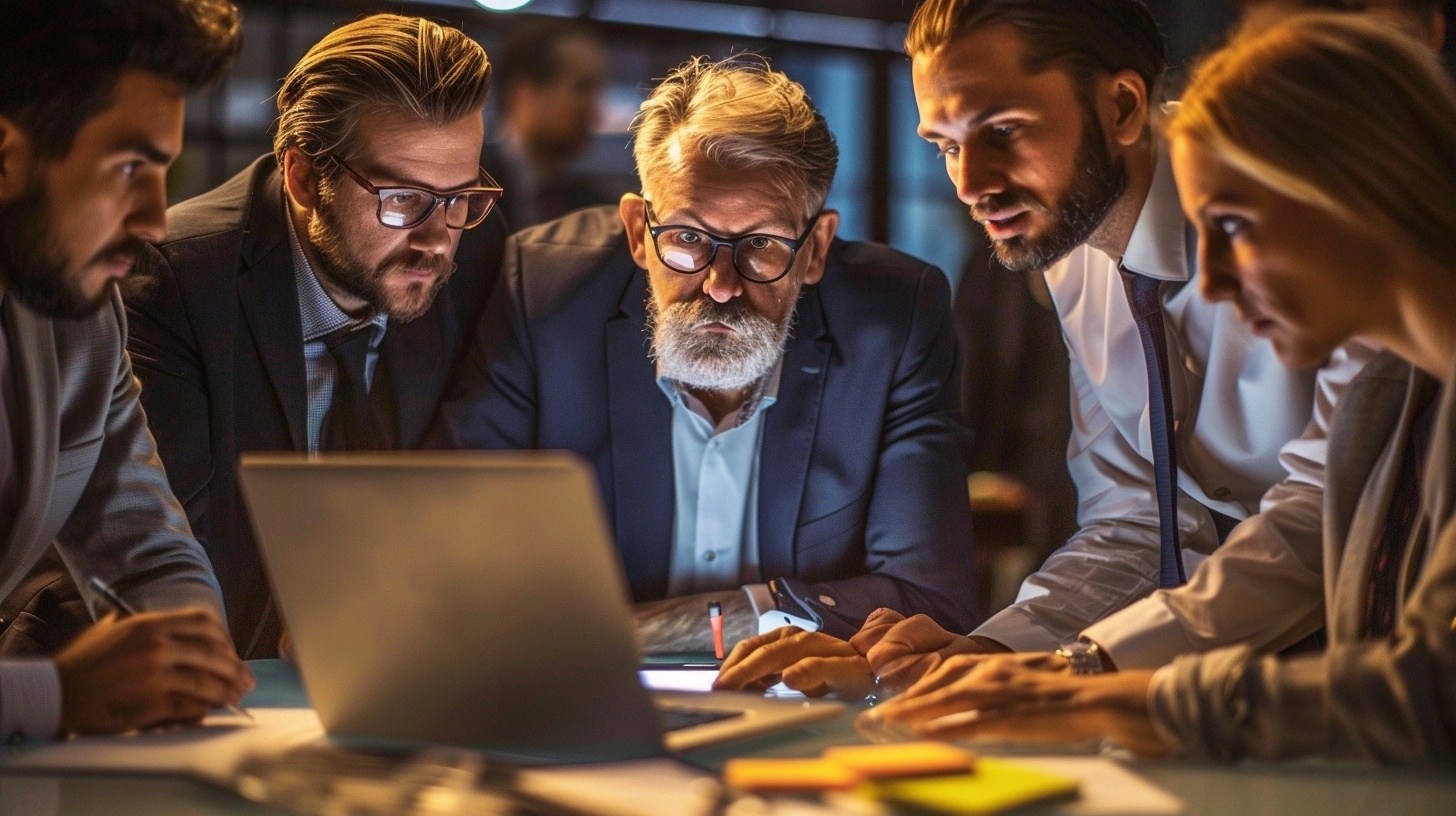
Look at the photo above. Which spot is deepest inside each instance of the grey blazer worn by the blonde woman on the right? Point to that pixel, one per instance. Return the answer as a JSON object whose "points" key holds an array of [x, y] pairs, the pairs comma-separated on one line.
{"points": [[1390, 700]]}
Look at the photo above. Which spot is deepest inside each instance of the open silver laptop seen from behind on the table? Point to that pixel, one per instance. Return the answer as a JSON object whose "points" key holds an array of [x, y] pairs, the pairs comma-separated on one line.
{"points": [[472, 600]]}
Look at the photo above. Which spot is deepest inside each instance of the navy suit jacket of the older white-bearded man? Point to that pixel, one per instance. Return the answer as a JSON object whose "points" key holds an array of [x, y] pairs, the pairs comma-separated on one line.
{"points": [[863, 479]]}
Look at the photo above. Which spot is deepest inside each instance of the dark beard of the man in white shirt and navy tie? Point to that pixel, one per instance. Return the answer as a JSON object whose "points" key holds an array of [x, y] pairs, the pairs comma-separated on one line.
{"points": [[1099, 184]]}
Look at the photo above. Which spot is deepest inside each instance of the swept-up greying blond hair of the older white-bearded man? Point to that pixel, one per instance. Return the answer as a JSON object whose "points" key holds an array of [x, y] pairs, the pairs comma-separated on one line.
{"points": [[742, 116]]}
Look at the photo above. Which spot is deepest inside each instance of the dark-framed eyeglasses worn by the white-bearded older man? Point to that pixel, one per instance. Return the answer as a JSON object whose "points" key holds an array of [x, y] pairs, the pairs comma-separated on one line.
{"points": [[758, 257]]}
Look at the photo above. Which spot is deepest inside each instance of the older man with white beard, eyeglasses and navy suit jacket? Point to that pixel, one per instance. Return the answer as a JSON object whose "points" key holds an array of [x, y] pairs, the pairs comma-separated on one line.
{"points": [[771, 412]]}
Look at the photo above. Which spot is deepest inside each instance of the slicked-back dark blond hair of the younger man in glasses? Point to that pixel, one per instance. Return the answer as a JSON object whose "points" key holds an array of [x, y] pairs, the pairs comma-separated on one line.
{"points": [[391, 62]]}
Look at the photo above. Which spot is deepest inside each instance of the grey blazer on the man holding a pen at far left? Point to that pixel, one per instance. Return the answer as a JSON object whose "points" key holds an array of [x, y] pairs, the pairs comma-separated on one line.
{"points": [[88, 473]]}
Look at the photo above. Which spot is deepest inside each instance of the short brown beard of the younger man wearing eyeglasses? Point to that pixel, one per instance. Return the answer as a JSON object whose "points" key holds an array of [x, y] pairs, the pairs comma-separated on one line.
{"points": [[368, 283]]}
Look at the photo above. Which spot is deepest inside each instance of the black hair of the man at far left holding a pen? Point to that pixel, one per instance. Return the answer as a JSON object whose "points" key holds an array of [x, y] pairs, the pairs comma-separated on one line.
{"points": [[60, 60]]}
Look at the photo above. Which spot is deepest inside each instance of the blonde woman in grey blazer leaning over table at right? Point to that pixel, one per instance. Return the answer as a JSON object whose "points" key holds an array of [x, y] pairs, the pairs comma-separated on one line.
{"points": [[1318, 160]]}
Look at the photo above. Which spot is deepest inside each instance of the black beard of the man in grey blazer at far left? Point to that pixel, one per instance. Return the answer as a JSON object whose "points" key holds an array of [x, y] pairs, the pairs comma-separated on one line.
{"points": [[30, 264]]}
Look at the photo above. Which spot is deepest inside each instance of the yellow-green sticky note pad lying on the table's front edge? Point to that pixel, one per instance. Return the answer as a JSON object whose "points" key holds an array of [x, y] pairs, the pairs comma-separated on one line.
{"points": [[994, 788]]}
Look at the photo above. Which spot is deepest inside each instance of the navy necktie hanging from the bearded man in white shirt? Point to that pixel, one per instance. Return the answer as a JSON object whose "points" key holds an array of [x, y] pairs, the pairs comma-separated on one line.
{"points": [[1148, 314]]}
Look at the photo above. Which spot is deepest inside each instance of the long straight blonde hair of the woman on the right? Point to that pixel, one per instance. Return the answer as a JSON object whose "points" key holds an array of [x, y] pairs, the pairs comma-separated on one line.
{"points": [[1342, 113]]}
